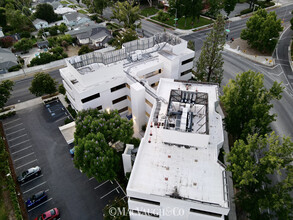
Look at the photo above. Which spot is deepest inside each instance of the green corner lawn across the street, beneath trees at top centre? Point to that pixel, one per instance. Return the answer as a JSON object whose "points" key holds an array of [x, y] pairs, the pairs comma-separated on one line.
{"points": [[202, 21]]}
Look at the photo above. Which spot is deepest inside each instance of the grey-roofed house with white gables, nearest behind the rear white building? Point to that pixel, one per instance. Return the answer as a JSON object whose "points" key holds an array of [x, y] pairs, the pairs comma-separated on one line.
{"points": [[95, 35]]}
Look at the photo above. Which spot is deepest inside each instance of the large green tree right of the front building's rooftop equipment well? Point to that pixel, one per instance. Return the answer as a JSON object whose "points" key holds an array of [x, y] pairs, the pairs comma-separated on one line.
{"points": [[248, 103]]}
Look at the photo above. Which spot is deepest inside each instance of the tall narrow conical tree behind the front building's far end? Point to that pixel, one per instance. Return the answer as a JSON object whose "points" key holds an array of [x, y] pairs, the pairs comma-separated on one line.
{"points": [[209, 67]]}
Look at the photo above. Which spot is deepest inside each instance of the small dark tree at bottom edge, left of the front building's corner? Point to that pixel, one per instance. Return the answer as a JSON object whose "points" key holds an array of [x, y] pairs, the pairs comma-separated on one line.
{"points": [[121, 206]]}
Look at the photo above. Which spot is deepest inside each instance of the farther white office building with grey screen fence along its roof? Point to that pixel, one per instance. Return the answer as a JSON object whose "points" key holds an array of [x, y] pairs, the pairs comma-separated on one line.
{"points": [[119, 79]]}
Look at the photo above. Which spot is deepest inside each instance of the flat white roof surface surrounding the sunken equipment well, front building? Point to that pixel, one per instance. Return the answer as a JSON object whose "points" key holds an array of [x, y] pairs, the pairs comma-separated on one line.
{"points": [[163, 164]]}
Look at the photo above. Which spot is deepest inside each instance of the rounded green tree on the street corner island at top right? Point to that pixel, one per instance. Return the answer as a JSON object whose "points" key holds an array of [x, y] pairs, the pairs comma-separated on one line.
{"points": [[262, 30]]}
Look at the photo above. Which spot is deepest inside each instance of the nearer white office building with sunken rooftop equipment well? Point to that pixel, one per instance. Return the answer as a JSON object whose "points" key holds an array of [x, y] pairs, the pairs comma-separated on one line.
{"points": [[176, 173]]}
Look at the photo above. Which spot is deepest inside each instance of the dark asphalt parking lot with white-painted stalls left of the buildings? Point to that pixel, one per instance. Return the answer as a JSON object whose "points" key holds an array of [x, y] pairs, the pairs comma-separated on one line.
{"points": [[35, 140]]}
